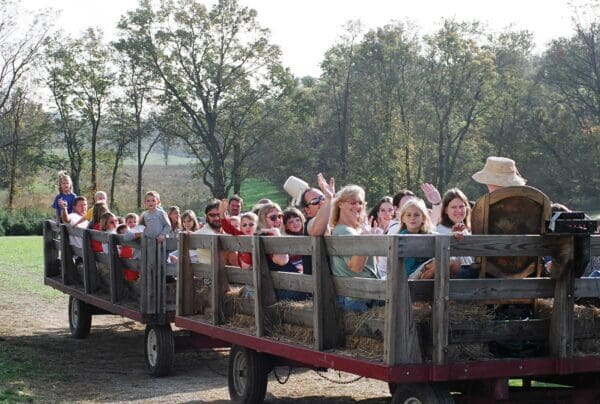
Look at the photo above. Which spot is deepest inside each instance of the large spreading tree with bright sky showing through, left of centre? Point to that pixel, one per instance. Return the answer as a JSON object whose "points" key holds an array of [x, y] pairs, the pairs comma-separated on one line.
{"points": [[215, 67]]}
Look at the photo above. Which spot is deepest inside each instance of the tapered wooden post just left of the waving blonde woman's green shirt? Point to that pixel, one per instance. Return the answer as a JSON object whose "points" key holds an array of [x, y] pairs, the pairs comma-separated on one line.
{"points": [[328, 327]]}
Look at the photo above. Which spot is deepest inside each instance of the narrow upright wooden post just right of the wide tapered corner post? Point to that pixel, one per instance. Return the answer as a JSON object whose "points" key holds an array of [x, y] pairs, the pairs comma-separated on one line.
{"points": [[441, 291]]}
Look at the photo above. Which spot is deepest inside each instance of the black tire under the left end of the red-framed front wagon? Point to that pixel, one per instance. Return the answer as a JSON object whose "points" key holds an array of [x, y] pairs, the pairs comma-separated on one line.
{"points": [[247, 375]]}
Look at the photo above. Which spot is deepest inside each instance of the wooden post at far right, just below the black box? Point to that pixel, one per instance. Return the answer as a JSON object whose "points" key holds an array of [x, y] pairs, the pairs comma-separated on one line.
{"points": [[562, 322]]}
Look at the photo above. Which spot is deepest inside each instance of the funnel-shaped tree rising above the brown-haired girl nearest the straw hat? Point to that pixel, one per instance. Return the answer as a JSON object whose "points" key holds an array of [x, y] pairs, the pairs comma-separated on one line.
{"points": [[458, 73]]}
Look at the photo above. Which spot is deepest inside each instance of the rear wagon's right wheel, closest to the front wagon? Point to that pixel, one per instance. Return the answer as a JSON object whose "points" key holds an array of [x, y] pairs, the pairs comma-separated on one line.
{"points": [[159, 349]]}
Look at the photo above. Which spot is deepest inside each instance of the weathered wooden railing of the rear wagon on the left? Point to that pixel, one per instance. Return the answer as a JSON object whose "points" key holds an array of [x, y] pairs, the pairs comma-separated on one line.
{"points": [[60, 271]]}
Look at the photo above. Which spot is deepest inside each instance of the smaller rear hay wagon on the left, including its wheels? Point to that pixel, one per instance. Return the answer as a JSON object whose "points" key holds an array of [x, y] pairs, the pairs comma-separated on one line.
{"points": [[96, 285]]}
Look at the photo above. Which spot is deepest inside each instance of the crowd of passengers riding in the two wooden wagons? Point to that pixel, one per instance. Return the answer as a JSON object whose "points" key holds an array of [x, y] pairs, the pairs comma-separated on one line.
{"points": [[314, 211]]}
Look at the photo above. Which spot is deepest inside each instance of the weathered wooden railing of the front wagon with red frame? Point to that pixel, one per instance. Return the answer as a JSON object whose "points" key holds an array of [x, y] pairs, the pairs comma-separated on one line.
{"points": [[403, 340]]}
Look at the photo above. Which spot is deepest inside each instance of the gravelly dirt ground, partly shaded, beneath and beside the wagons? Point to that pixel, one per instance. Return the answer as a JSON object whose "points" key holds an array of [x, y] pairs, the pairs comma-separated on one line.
{"points": [[109, 366]]}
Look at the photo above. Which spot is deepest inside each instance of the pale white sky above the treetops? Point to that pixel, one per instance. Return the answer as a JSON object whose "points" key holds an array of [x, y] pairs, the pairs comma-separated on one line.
{"points": [[305, 29]]}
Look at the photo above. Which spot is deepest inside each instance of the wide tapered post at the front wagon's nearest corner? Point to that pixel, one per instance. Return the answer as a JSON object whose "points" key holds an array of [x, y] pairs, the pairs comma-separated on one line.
{"points": [[401, 340]]}
